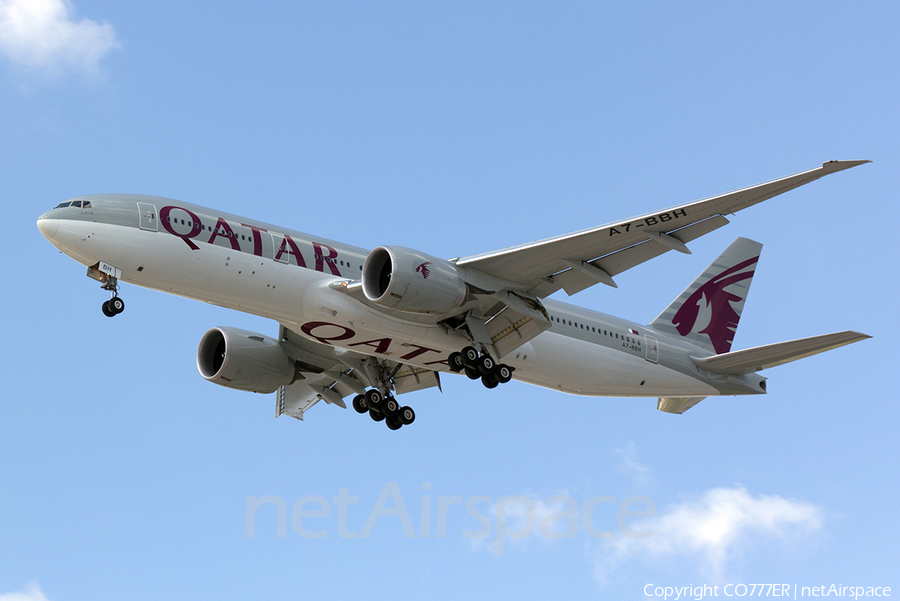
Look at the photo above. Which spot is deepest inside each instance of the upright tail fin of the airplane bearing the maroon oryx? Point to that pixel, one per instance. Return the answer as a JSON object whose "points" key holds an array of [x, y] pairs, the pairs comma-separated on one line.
{"points": [[708, 311]]}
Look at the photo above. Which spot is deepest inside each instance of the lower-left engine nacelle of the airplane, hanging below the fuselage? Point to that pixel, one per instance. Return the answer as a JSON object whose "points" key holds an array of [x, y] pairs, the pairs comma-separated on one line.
{"points": [[244, 360]]}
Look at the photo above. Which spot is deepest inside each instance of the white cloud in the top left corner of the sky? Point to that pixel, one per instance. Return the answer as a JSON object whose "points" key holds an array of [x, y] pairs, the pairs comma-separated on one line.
{"points": [[46, 35]]}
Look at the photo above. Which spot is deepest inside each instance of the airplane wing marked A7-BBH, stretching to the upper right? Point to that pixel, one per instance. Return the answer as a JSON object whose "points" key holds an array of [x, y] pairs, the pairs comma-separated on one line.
{"points": [[579, 260]]}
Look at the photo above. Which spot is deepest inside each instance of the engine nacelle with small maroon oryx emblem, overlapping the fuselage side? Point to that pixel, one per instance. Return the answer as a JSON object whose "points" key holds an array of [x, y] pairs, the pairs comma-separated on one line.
{"points": [[408, 280]]}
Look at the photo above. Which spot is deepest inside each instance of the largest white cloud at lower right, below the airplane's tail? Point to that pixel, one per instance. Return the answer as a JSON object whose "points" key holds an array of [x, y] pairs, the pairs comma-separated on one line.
{"points": [[710, 531]]}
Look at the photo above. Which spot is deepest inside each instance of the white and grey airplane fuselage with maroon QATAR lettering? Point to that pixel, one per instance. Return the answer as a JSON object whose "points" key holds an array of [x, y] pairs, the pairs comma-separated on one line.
{"points": [[285, 275]]}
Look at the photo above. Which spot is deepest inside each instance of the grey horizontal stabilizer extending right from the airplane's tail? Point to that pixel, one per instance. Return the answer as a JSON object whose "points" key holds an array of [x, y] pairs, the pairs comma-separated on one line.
{"points": [[762, 357]]}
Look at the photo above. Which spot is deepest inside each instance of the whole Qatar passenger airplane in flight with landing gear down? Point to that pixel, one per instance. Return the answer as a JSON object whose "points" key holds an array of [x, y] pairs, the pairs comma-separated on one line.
{"points": [[381, 323]]}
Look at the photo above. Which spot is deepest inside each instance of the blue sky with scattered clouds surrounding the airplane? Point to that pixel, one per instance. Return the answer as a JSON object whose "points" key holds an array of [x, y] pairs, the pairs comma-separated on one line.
{"points": [[456, 129]]}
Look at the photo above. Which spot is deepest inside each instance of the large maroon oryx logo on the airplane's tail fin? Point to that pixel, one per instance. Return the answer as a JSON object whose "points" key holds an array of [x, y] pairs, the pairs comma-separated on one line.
{"points": [[723, 319]]}
